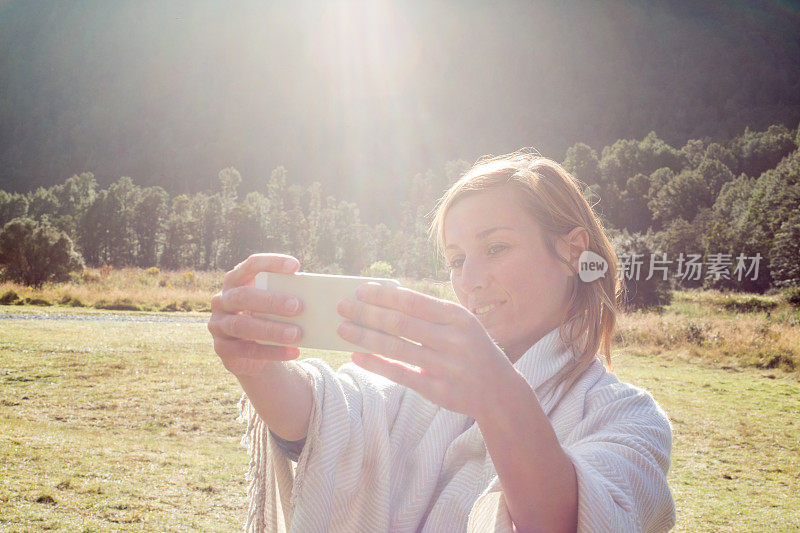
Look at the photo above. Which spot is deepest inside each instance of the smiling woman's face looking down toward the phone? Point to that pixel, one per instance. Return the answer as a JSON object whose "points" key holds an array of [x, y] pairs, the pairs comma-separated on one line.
{"points": [[502, 271]]}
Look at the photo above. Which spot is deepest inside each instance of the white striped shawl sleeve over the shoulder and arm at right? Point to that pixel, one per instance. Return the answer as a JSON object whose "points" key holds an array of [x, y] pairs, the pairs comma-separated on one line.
{"points": [[621, 453]]}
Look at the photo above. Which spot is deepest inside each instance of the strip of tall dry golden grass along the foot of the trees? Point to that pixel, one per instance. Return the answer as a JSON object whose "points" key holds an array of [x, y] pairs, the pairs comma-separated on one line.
{"points": [[727, 330]]}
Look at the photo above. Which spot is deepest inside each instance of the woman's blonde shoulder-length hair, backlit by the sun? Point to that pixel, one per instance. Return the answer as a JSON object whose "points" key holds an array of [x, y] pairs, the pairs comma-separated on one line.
{"points": [[554, 200]]}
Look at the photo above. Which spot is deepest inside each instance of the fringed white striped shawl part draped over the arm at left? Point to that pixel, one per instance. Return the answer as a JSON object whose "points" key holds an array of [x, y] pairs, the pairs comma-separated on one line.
{"points": [[341, 481]]}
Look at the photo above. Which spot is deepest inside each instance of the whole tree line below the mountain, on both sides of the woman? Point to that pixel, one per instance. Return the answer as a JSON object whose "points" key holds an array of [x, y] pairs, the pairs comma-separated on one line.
{"points": [[712, 199]]}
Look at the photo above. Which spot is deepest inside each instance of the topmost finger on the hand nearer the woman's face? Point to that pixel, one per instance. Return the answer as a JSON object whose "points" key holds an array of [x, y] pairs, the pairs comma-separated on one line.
{"points": [[410, 302]]}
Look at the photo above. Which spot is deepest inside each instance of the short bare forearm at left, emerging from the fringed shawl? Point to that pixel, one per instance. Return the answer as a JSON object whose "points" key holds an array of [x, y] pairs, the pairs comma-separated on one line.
{"points": [[282, 395]]}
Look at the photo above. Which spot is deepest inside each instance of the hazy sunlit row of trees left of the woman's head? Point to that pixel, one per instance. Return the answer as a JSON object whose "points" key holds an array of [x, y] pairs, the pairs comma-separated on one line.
{"points": [[129, 225]]}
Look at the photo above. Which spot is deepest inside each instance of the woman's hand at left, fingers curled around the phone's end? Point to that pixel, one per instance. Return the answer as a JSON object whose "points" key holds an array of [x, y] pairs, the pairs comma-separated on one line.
{"points": [[235, 330]]}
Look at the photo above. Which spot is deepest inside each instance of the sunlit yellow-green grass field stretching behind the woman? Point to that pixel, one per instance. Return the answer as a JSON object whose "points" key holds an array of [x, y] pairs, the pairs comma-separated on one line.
{"points": [[131, 426]]}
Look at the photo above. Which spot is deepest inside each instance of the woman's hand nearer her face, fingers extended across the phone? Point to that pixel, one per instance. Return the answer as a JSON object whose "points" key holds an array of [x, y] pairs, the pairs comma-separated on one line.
{"points": [[459, 367]]}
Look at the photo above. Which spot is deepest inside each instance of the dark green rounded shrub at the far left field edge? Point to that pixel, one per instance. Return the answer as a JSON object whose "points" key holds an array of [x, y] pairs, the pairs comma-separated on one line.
{"points": [[33, 253]]}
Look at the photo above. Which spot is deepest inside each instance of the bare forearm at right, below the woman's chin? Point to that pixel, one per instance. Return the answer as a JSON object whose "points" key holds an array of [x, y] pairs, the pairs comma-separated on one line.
{"points": [[538, 478]]}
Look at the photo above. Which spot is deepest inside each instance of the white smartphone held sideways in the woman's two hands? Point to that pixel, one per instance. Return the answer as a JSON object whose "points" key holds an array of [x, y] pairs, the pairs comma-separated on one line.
{"points": [[320, 294]]}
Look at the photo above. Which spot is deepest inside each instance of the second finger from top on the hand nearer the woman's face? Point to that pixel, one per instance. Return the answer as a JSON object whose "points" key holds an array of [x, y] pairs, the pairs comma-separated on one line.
{"points": [[394, 322]]}
